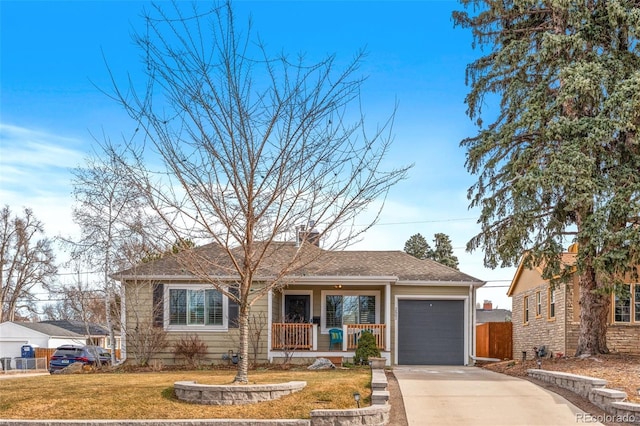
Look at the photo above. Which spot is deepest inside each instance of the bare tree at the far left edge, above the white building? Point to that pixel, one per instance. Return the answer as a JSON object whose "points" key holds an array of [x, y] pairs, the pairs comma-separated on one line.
{"points": [[26, 261]]}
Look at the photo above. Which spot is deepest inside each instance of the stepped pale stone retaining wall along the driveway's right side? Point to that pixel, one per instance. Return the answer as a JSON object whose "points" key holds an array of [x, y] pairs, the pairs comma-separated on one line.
{"points": [[610, 400]]}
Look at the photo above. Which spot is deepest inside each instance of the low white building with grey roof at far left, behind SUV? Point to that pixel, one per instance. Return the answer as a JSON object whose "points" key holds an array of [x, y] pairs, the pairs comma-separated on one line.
{"points": [[49, 334]]}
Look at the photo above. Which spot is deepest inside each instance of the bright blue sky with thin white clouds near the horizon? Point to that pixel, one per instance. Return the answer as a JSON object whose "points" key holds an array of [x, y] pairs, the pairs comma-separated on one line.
{"points": [[52, 66]]}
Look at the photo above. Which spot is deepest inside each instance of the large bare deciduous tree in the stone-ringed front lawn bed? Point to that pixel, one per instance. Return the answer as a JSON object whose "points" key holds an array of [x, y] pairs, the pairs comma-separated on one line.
{"points": [[248, 147]]}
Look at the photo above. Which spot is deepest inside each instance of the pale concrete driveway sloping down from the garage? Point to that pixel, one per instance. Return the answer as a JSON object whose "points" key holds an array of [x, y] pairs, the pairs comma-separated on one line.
{"points": [[451, 395]]}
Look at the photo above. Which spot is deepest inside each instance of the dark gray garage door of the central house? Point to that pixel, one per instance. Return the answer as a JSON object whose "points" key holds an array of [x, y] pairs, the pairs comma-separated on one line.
{"points": [[431, 332]]}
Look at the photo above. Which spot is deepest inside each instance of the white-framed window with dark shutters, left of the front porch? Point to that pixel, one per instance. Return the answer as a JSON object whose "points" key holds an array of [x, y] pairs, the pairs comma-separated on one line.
{"points": [[195, 306]]}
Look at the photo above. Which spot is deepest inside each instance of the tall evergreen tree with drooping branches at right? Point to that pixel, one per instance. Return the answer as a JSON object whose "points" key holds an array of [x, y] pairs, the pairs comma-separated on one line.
{"points": [[559, 160]]}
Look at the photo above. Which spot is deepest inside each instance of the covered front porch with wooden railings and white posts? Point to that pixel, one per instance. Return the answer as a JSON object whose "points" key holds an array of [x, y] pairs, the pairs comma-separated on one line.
{"points": [[310, 321]]}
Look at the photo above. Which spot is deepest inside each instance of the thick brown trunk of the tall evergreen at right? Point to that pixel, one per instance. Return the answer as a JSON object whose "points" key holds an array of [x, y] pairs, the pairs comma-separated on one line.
{"points": [[594, 312]]}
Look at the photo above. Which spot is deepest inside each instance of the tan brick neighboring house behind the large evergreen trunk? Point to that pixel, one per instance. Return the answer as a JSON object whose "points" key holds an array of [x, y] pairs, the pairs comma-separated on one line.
{"points": [[548, 317]]}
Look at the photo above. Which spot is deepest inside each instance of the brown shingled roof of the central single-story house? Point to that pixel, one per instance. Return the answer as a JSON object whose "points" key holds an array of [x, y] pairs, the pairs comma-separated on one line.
{"points": [[312, 262]]}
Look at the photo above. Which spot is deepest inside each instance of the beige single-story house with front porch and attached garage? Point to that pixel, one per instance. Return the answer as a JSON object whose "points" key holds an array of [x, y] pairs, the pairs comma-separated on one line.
{"points": [[420, 311]]}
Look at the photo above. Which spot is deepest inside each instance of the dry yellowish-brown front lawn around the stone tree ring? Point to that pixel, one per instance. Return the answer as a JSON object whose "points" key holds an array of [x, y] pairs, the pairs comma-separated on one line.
{"points": [[150, 395]]}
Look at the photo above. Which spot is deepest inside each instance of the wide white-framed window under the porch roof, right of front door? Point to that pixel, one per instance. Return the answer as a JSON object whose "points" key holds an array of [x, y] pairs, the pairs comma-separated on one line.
{"points": [[341, 308]]}
